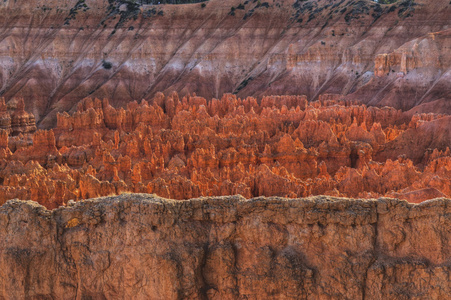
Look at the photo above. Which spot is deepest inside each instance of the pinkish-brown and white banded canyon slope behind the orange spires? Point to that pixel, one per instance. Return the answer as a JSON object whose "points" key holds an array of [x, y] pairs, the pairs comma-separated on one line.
{"points": [[54, 53]]}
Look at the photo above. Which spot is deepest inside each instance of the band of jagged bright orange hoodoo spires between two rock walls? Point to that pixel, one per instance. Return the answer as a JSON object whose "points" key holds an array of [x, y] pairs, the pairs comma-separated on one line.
{"points": [[188, 147]]}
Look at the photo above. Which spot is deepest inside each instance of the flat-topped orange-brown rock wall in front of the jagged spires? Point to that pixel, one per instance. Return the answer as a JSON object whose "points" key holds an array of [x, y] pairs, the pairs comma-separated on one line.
{"points": [[142, 247]]}
